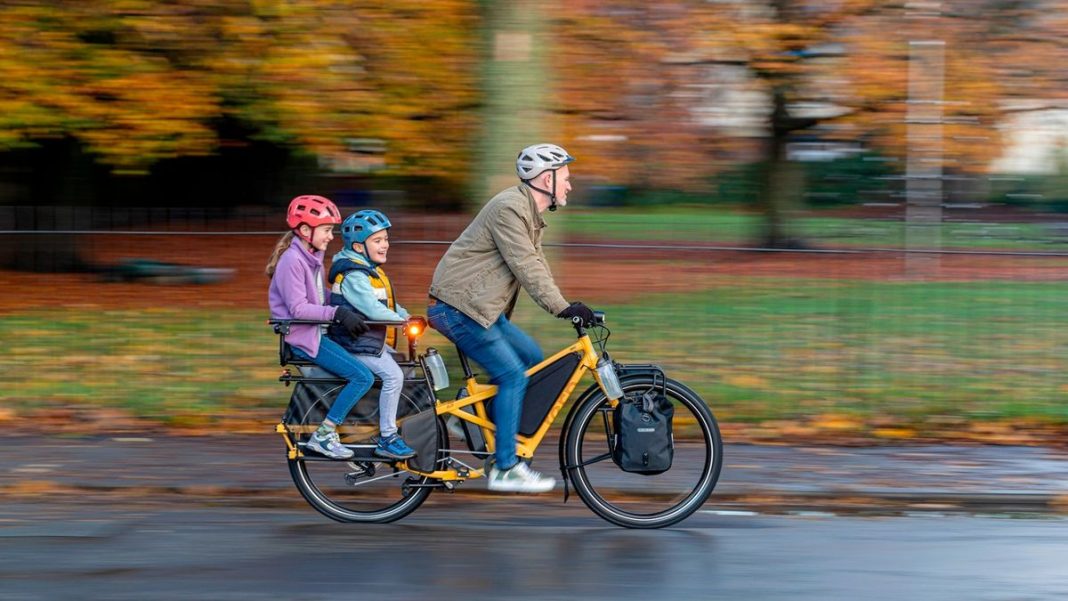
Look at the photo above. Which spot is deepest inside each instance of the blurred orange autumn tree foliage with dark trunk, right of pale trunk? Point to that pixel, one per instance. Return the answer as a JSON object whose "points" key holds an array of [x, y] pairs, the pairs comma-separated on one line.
{"points": [[668, 94]]}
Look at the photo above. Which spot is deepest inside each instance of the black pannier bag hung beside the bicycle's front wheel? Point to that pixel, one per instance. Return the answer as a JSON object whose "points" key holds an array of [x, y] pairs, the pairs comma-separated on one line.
{"points": [[643, 433]]}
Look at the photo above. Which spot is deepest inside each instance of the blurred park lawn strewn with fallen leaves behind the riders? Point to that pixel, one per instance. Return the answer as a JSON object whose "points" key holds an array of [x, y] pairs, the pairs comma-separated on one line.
{"points": [[851, 326]]}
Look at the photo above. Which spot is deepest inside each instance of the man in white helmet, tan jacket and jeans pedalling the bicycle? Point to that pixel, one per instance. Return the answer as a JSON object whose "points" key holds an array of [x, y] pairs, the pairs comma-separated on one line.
{"points": [[476, 288]]}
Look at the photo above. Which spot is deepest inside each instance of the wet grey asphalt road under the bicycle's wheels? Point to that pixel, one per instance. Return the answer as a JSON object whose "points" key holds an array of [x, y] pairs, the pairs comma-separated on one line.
{"points": [[516, 548]]}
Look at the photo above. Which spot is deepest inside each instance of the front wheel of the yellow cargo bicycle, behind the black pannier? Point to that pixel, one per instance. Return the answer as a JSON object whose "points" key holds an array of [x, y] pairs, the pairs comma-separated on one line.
{"points": [[639, 501]]}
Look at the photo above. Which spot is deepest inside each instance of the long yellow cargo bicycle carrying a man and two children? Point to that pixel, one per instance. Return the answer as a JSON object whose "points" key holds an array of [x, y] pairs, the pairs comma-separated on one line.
{"points": [[373, 489]]}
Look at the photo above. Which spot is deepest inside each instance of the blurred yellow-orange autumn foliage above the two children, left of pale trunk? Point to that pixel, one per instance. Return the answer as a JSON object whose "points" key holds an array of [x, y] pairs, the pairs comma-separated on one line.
{"points": [[139, 82]]}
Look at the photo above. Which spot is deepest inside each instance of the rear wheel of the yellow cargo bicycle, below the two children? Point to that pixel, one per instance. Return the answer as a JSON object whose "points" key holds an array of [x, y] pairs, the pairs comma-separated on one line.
{"points": [[366, 488]]}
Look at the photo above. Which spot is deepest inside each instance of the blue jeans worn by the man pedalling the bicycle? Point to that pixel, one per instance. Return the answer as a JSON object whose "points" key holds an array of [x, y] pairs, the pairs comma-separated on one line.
{"points": [[506, 353]]}
